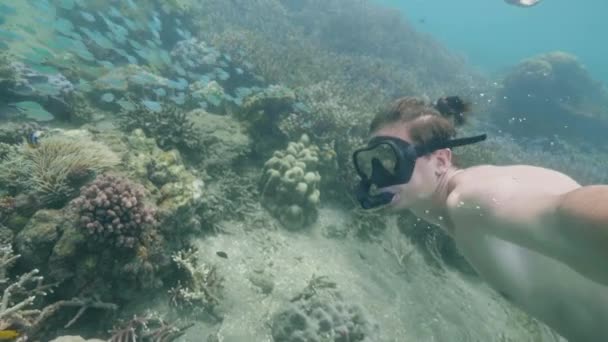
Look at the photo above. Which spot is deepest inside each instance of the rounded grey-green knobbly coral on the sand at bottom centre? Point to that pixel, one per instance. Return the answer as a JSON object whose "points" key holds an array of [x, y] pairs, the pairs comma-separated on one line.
{"points": [[320, 313]]}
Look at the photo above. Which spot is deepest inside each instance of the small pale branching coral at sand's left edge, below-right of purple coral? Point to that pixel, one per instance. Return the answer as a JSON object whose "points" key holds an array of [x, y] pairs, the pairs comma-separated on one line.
{"points": [[201, 288]]}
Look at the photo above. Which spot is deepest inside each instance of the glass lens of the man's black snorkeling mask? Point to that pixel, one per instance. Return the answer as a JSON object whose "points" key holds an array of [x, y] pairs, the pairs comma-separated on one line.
{"points": [[378, 160]]}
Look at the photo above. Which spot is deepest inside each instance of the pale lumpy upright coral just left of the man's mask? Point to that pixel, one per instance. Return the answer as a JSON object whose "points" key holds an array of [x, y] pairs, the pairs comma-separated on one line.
{"points": [[289, 185]]}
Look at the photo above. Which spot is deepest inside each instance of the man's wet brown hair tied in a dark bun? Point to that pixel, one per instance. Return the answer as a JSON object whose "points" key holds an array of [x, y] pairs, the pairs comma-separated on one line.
{"points": [[426, 122]]}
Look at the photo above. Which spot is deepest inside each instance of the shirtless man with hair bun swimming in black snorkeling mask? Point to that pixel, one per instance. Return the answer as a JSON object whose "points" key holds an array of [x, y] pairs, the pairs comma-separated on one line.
{"points": [[534, 234]]}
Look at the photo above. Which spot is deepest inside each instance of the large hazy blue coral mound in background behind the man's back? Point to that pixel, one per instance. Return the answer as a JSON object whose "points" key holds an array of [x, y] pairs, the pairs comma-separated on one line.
{"points": [[552, 94]]}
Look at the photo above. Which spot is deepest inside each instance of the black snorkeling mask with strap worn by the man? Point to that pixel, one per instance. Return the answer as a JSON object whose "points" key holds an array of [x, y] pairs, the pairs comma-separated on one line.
{"points": [[388, 161]]}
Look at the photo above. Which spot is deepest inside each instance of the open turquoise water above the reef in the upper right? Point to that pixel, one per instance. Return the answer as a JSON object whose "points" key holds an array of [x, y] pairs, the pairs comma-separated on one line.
{"points": [[494, 35]]}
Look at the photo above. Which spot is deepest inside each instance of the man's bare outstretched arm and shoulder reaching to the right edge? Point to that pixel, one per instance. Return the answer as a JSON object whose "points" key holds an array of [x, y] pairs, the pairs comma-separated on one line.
{"points": [[571, 228]]}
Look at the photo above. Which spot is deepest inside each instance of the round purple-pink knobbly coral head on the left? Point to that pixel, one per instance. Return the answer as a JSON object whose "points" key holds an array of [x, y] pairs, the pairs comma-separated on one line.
{"points": [[112, 210]]}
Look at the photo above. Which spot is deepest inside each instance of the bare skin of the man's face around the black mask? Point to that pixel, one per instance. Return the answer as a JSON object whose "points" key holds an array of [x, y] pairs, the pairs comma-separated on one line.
{"points": [[425, 177]]}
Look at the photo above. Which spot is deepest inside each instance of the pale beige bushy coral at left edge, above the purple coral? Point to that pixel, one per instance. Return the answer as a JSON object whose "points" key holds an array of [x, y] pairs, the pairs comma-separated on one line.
{"points": [[54, 170]]}
